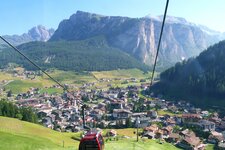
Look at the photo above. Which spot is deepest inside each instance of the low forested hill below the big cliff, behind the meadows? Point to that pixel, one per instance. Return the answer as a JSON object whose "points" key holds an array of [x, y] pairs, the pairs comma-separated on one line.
{"points": [[88, 55]]}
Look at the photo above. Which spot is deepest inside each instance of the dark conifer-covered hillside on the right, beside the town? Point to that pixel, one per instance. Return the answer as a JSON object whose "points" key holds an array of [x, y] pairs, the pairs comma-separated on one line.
{"points": [[200, 80]]}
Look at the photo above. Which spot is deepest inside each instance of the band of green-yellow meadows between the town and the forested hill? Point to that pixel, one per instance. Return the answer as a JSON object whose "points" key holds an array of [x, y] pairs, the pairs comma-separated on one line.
{"points": [[19, 84]]}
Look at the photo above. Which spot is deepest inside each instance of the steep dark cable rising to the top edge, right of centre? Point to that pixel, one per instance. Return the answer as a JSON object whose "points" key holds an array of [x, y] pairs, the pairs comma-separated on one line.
{"points": [[160, 37]]}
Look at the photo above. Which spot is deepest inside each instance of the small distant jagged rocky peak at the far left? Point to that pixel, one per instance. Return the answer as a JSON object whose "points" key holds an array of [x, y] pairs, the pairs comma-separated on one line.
{"points": [[38, 33]]}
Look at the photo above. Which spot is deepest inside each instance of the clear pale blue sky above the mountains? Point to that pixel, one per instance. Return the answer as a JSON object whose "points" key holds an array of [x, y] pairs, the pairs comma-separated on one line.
{"points": [[17, 16]]}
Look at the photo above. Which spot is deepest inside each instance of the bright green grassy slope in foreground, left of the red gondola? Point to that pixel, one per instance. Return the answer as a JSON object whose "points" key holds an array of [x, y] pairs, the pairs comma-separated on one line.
{"points": [[23, 135]]}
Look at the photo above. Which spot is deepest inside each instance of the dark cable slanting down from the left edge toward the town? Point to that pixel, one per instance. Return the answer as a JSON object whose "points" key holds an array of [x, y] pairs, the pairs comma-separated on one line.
{"points": [[28, 59]]}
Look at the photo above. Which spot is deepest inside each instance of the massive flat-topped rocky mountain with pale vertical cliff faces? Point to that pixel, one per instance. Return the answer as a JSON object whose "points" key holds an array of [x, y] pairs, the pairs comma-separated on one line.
{"points": [[139, 36]]}
